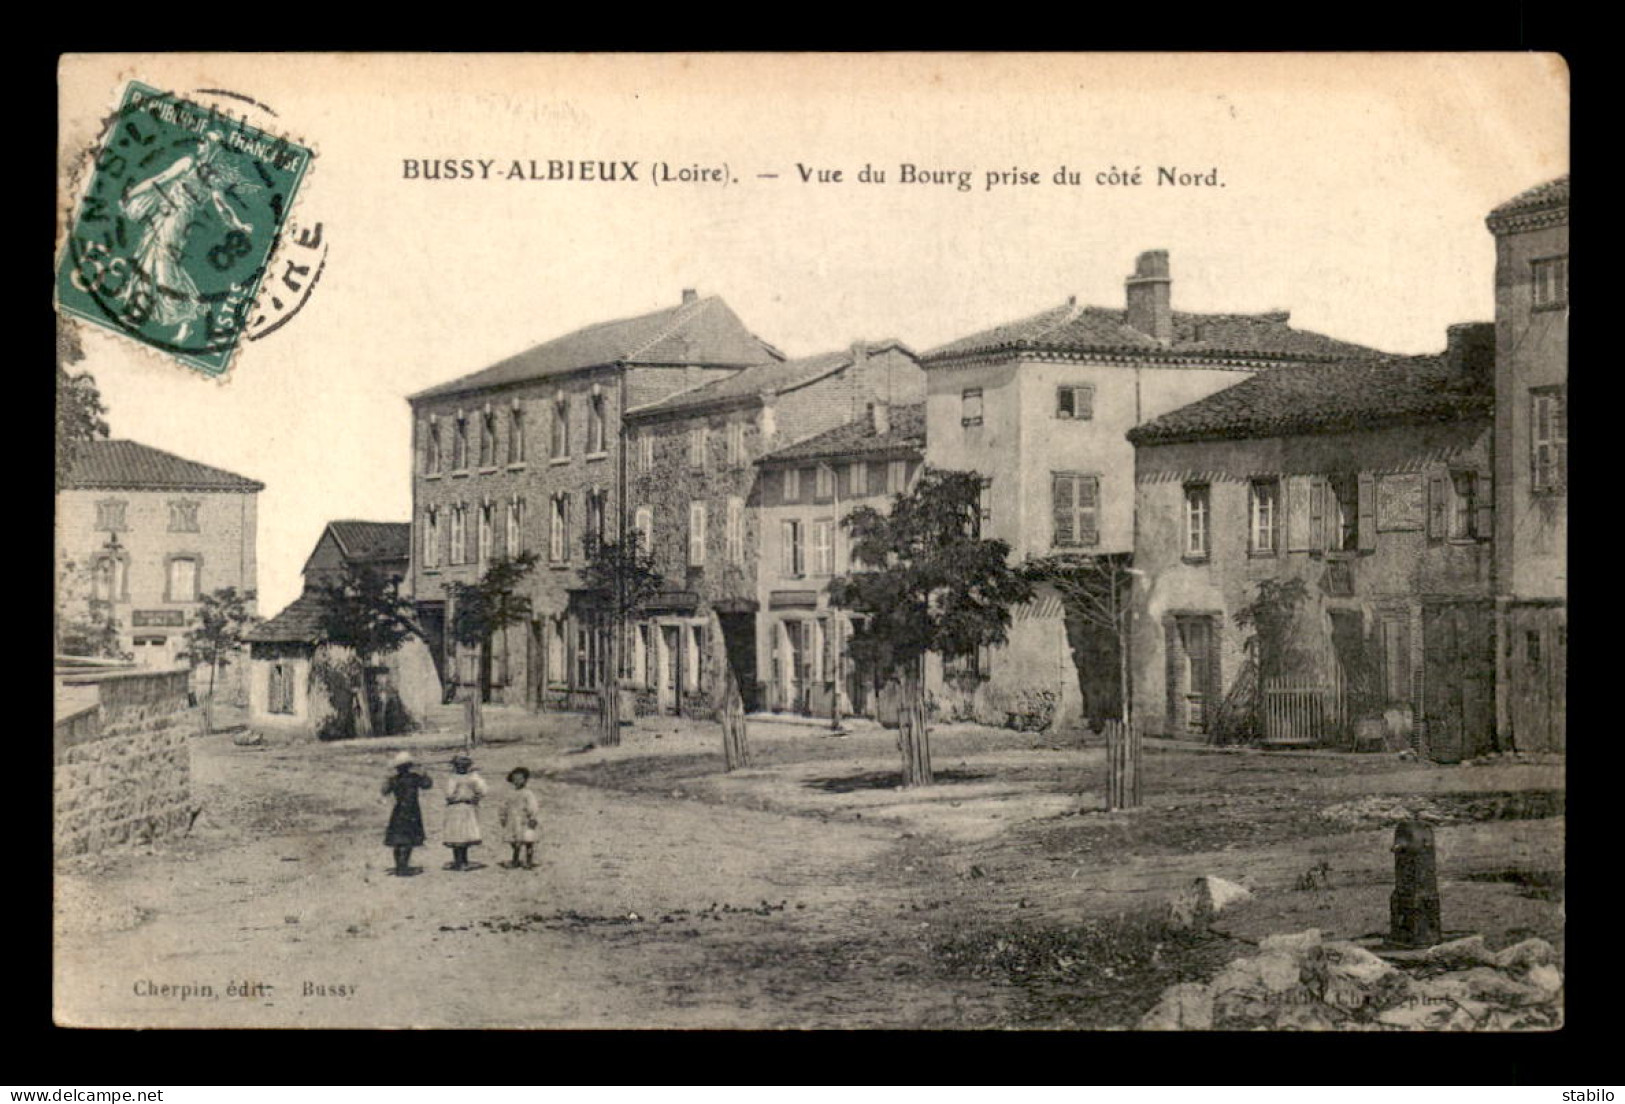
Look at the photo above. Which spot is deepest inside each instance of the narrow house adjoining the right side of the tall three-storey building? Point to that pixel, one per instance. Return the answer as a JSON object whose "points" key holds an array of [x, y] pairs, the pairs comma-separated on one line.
{"points": [[695, 498]]}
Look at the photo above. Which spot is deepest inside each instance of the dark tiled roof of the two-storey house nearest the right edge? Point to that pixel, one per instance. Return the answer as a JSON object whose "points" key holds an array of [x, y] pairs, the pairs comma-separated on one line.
{"points": [[1302, 399]]}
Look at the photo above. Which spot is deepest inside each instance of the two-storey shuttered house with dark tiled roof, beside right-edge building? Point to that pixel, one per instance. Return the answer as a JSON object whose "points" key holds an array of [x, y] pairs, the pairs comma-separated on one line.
{"points": [[1369, 487]]}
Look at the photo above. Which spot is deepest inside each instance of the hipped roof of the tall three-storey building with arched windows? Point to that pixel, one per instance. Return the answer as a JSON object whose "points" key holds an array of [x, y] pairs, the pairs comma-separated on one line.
{"points": [[696, 333]]}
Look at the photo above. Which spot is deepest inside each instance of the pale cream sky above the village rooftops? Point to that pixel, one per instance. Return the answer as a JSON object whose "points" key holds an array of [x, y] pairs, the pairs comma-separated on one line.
{"points": [[1348, 189]]}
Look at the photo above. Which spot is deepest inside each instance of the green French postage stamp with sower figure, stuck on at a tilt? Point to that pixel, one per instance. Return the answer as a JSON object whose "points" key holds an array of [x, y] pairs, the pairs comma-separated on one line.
{"points": [[178, 227]]}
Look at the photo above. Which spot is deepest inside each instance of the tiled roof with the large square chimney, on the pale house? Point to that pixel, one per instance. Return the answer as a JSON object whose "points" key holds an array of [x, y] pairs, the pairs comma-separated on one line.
{"points": [[1070, 328]]}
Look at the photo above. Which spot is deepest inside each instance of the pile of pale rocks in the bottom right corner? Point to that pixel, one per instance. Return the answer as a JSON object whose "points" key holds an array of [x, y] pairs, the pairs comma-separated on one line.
{"points": [[1304, 983]]}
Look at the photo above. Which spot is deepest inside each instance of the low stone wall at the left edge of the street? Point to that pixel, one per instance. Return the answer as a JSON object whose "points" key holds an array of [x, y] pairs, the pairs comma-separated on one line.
{"points": [[124, 773]]}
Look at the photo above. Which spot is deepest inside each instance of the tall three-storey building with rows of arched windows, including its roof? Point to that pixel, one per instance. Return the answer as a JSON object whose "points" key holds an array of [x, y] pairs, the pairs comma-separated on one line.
{"points": [[529, 456]]}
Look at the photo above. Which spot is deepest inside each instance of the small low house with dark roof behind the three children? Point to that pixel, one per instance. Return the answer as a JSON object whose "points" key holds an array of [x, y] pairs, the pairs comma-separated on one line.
{"points": [[285, 685]]}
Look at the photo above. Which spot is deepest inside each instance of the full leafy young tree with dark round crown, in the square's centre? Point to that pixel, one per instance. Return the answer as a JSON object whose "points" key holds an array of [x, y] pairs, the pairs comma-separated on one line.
{"points": [[932, 586]]}
